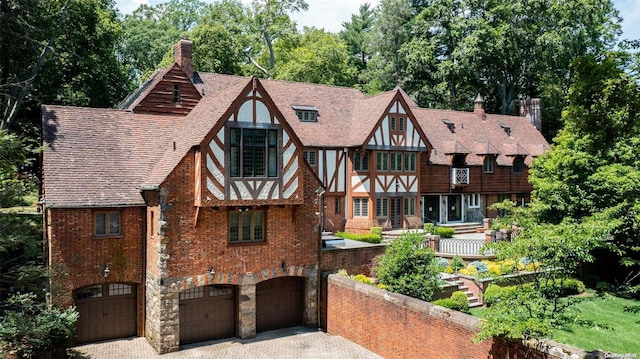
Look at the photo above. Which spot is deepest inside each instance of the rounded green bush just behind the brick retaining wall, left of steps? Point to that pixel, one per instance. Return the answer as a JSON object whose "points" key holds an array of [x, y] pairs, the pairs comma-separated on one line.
{"points": [[408, 267]]}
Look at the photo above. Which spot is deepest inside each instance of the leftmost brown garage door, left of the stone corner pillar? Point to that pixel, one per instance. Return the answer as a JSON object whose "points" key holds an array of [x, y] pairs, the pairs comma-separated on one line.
{"points": [[106, 311]]}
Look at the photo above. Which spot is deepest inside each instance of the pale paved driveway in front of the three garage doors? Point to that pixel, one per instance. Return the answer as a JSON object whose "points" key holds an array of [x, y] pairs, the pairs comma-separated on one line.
{"points": [[297, 342]]}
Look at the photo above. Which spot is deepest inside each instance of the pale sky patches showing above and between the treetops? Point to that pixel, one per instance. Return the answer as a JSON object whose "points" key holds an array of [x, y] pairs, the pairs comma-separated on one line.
{"points": [[330, 14]]}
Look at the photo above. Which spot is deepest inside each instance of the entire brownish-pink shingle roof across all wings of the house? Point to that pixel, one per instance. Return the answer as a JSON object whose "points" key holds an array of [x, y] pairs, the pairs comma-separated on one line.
{"points": [[102, 157]]}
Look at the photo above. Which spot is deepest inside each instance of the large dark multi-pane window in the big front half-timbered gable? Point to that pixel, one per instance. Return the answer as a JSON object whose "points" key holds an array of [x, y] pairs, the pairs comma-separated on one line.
{"points": [[253, 153]]}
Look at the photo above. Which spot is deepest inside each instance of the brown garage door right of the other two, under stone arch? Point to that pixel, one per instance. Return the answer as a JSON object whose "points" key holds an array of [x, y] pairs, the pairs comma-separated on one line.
{"points": [[279, 303]]}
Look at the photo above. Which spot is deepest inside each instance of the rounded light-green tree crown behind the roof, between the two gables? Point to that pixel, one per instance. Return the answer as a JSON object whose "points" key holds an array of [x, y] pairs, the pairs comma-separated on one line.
{"points": [[315, 56]]}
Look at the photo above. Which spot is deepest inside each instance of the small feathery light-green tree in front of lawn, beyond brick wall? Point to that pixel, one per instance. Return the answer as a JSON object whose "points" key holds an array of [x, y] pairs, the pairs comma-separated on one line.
{"points": [[537, 308]]}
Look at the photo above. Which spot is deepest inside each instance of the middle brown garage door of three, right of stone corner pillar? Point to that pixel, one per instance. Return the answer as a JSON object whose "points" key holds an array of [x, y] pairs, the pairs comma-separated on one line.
{"points": [[207, 313]]}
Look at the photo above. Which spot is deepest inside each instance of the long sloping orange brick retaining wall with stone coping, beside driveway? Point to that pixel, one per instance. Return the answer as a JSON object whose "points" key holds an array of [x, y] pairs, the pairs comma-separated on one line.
{"points": [[396, 326]]}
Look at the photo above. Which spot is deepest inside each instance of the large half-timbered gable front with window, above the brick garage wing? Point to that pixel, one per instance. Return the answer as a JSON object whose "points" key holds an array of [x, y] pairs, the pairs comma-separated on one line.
{"points": [[252, 154]]}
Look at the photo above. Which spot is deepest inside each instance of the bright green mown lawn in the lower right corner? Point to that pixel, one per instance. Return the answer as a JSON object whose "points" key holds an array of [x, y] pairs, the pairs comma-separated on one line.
{"points": [[618, 331]]}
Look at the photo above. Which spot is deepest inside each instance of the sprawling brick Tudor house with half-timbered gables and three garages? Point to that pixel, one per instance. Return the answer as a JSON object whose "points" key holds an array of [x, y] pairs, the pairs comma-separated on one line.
{"points": [[194, 211]]}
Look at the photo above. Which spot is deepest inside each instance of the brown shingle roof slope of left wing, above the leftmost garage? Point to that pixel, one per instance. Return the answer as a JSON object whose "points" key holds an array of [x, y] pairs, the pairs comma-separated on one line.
{"points": [[99, 157]]}
